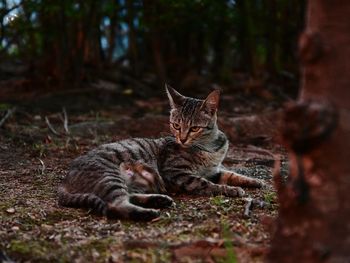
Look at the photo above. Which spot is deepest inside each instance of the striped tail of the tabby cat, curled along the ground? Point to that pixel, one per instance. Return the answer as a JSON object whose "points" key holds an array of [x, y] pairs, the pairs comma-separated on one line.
{"points": [[81, 200]]}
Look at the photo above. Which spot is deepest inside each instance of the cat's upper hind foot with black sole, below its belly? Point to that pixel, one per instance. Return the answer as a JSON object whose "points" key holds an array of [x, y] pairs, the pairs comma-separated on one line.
{"points": [[151, 200]]}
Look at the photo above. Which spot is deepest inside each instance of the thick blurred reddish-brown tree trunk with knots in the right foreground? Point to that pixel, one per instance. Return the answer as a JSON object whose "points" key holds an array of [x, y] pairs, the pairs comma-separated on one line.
{"points": [[314, 214]]}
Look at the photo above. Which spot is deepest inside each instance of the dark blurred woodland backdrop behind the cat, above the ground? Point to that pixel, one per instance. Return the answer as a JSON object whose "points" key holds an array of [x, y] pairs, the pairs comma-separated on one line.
{"points": [[246, 47]]}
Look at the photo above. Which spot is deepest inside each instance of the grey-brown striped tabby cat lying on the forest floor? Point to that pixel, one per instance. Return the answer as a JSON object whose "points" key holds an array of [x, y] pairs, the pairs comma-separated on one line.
{"points": [[189, 162]]}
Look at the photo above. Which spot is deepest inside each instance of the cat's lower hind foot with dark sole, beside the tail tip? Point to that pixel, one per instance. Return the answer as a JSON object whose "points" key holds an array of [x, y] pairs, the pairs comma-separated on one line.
{"points": [[121, 208]]}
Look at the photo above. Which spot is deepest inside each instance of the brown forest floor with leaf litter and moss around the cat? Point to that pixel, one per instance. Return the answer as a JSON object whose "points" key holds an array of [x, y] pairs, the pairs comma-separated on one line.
{"points": [[33, 161]]}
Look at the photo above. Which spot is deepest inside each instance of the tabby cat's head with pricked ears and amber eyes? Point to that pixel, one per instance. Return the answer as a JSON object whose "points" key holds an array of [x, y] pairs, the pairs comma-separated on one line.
{"points": [[192, 121]]}
